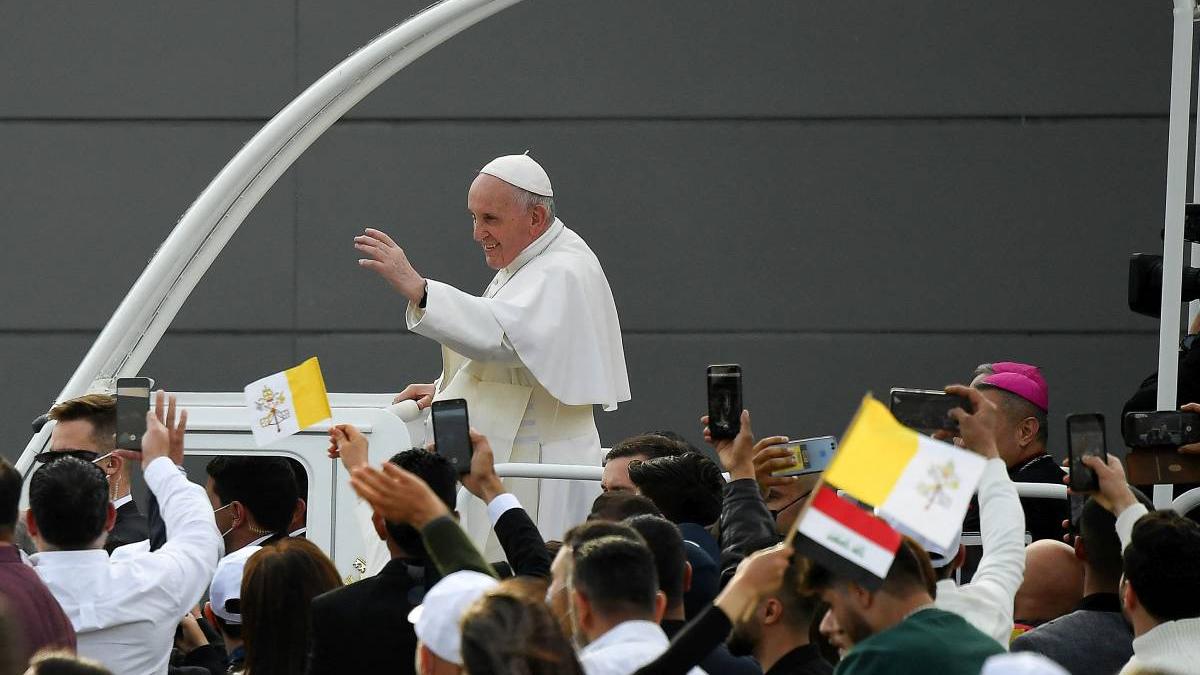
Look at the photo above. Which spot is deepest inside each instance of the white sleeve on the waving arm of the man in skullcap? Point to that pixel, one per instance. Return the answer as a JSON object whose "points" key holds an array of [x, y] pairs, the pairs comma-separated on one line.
{"points": [[463, 322]]}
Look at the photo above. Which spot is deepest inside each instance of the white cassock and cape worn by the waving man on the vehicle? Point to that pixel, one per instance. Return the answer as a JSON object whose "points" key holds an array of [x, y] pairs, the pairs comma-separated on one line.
{"points": [[532, 356]]}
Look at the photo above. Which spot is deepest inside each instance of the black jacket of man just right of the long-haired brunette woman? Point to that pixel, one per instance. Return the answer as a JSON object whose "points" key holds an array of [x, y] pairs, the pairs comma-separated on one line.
{"points": [[364, 628]]}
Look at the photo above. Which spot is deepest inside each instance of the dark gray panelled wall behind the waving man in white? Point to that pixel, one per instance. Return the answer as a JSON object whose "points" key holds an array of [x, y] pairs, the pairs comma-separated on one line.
{"points": [[841, 198]]}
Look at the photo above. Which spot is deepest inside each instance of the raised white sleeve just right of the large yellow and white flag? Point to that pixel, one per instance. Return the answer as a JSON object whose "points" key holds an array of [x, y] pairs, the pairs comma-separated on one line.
{"points": [[1003, 530]]}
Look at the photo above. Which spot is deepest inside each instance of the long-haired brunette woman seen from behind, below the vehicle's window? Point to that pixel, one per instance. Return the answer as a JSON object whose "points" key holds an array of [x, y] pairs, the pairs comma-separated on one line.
{"points": [[278, 587]]}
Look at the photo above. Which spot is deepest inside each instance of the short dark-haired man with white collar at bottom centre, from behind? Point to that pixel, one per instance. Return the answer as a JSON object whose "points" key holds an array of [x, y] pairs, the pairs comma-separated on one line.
{"points": [[619, 606]]}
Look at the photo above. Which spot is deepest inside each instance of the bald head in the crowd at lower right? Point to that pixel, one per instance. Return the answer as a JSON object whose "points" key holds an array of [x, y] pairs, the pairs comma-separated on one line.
{"points": [[1053, 586]]}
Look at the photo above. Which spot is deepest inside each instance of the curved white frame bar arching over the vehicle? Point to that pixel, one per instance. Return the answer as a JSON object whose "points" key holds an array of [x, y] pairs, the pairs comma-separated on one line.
{"points": [[152, 304]]}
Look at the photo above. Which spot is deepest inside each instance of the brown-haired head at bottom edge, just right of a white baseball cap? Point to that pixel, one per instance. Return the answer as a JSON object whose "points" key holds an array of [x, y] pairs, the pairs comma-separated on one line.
{"points": [[511, 631]]}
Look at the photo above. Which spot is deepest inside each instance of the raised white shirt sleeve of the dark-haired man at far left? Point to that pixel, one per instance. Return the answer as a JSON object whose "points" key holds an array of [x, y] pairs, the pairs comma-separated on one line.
{"points": [[194, 543]]}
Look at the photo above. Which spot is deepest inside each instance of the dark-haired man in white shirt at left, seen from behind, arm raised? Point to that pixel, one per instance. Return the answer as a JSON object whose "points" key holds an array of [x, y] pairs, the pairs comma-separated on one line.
{"points": [[124, 611]]}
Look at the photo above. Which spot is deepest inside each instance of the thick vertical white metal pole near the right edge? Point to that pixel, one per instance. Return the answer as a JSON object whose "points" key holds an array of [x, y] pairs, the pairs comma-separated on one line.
{"points": [[1177, 198]]}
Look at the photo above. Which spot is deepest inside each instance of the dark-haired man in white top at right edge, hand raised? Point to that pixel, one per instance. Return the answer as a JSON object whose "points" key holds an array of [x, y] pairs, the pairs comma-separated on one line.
{"points": [[1161, 586]]}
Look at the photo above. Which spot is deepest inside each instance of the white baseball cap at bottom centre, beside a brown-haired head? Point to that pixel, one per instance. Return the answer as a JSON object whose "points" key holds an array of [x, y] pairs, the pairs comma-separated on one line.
{"points": [[437, 619]]}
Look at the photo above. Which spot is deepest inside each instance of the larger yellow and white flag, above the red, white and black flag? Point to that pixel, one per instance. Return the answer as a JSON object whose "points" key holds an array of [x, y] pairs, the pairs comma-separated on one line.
{"points": [[922, 483]]}
